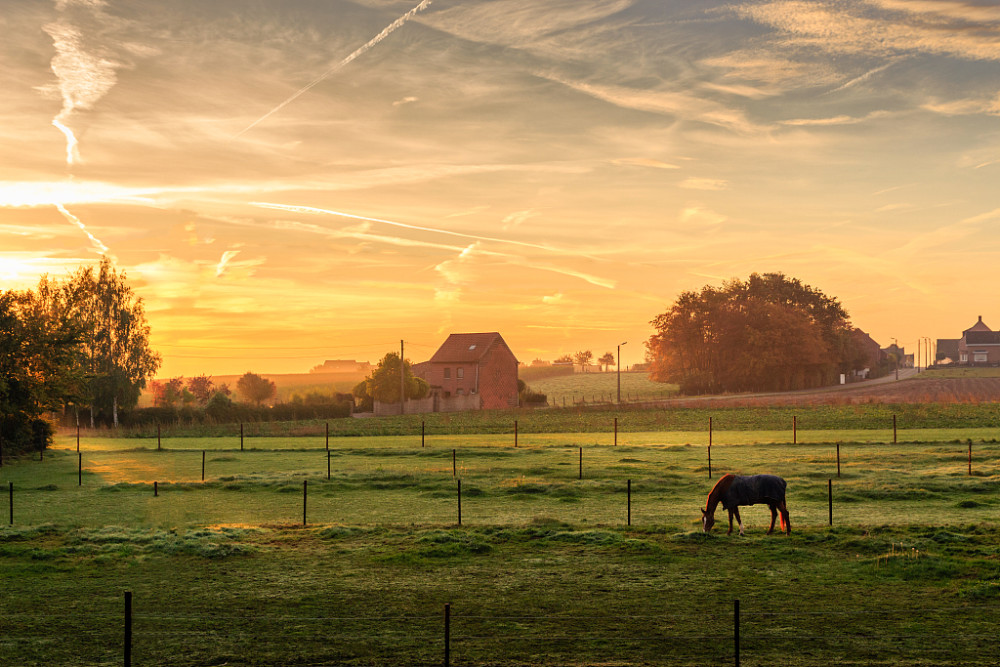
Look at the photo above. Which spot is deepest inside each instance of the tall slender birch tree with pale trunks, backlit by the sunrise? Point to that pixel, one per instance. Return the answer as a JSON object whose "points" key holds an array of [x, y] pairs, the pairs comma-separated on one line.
{"points": [[116, 356]]}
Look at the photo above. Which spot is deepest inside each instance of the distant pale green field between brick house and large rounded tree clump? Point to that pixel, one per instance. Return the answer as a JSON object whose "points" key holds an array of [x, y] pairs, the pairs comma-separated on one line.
{"points": [[568, 390]]}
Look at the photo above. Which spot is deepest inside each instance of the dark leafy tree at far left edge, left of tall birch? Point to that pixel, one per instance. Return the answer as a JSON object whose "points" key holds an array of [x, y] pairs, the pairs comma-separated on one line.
{"points": [[38, 371]]}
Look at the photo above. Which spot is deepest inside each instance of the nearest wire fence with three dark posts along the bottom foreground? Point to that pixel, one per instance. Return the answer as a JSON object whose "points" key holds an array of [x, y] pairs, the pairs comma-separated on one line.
{"points": [[718, 633]]}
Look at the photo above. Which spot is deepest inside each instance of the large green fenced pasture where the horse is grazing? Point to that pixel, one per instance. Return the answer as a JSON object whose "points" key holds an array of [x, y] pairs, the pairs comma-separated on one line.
{"points": [[545, 568]]}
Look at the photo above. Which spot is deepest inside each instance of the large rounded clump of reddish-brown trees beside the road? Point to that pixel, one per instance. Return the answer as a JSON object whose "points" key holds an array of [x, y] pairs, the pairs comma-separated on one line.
{"points": [[770, 333]]}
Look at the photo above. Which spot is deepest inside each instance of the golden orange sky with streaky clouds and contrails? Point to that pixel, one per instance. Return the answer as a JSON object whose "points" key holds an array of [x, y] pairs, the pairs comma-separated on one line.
{"points": [[289, 182]]}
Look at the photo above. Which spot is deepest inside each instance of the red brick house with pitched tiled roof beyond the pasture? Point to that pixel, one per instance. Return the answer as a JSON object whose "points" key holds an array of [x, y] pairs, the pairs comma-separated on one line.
{"points": [[471, 371]]}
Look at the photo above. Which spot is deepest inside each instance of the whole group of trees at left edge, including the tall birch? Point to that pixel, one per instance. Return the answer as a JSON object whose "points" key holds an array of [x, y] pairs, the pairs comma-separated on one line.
{"points": [[81, 344]]}
